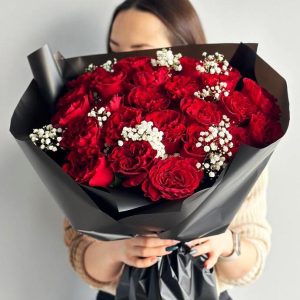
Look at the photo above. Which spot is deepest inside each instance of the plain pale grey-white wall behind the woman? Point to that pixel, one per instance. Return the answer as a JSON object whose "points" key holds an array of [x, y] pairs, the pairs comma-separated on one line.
{"points": [[33, 258]]}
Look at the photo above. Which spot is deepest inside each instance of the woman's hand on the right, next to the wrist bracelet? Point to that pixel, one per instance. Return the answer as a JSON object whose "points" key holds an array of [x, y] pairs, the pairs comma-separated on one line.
{"points": [[214, 246]]}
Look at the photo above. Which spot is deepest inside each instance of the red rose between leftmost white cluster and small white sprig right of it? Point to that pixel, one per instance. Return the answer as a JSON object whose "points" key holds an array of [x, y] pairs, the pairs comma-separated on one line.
{"points": [[82, 134]]}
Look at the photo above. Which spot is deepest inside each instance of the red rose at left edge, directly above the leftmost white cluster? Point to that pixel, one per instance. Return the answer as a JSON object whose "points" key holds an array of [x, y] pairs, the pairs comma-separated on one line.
{"points": [[74, 105]]}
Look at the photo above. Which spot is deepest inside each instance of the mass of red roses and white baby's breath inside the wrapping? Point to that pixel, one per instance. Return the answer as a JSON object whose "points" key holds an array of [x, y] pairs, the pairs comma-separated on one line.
{"points": [[167, 124]]}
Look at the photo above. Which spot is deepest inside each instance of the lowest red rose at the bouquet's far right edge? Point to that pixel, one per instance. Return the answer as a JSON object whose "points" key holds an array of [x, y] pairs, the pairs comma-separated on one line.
{"points": [[264, 131]]}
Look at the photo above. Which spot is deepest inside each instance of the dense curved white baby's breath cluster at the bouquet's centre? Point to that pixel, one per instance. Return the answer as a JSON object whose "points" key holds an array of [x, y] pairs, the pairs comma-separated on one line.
{"points": [[145, 132]]}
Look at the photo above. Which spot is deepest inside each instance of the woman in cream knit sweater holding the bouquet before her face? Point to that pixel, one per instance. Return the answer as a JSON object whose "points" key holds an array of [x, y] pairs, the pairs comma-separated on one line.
{"points": [[145, 24]]}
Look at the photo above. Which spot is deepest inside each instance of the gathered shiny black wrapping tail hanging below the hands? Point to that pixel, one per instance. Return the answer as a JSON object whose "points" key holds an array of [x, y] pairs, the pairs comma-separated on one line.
{"points": [[177, 276]]}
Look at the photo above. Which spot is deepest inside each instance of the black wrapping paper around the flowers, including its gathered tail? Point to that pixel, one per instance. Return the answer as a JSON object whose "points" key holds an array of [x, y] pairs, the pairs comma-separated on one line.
{"points": [[109, 214]]}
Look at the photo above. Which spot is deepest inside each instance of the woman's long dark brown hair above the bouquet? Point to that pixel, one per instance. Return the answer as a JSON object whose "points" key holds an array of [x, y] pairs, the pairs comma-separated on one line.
{"points": [[179, 16]]}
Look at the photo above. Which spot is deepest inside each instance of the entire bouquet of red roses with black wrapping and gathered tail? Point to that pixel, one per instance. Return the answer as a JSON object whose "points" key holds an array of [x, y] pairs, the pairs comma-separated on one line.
{"points": [[116, 137]]}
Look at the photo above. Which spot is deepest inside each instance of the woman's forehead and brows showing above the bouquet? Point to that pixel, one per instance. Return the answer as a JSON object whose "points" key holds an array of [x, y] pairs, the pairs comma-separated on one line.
{"points": [[138, 30]]}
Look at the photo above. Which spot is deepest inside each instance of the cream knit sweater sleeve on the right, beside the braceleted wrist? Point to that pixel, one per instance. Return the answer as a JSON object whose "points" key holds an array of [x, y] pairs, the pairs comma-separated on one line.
{"points": [[252, 224]]}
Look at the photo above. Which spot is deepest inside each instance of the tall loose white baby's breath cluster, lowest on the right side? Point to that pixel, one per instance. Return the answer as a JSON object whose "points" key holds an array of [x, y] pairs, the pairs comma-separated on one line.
{"points": [[217, 143]]}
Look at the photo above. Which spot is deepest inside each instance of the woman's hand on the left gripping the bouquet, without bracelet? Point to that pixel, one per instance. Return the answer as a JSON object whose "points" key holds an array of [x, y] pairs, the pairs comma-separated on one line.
{"points": [[142, 251]]}
